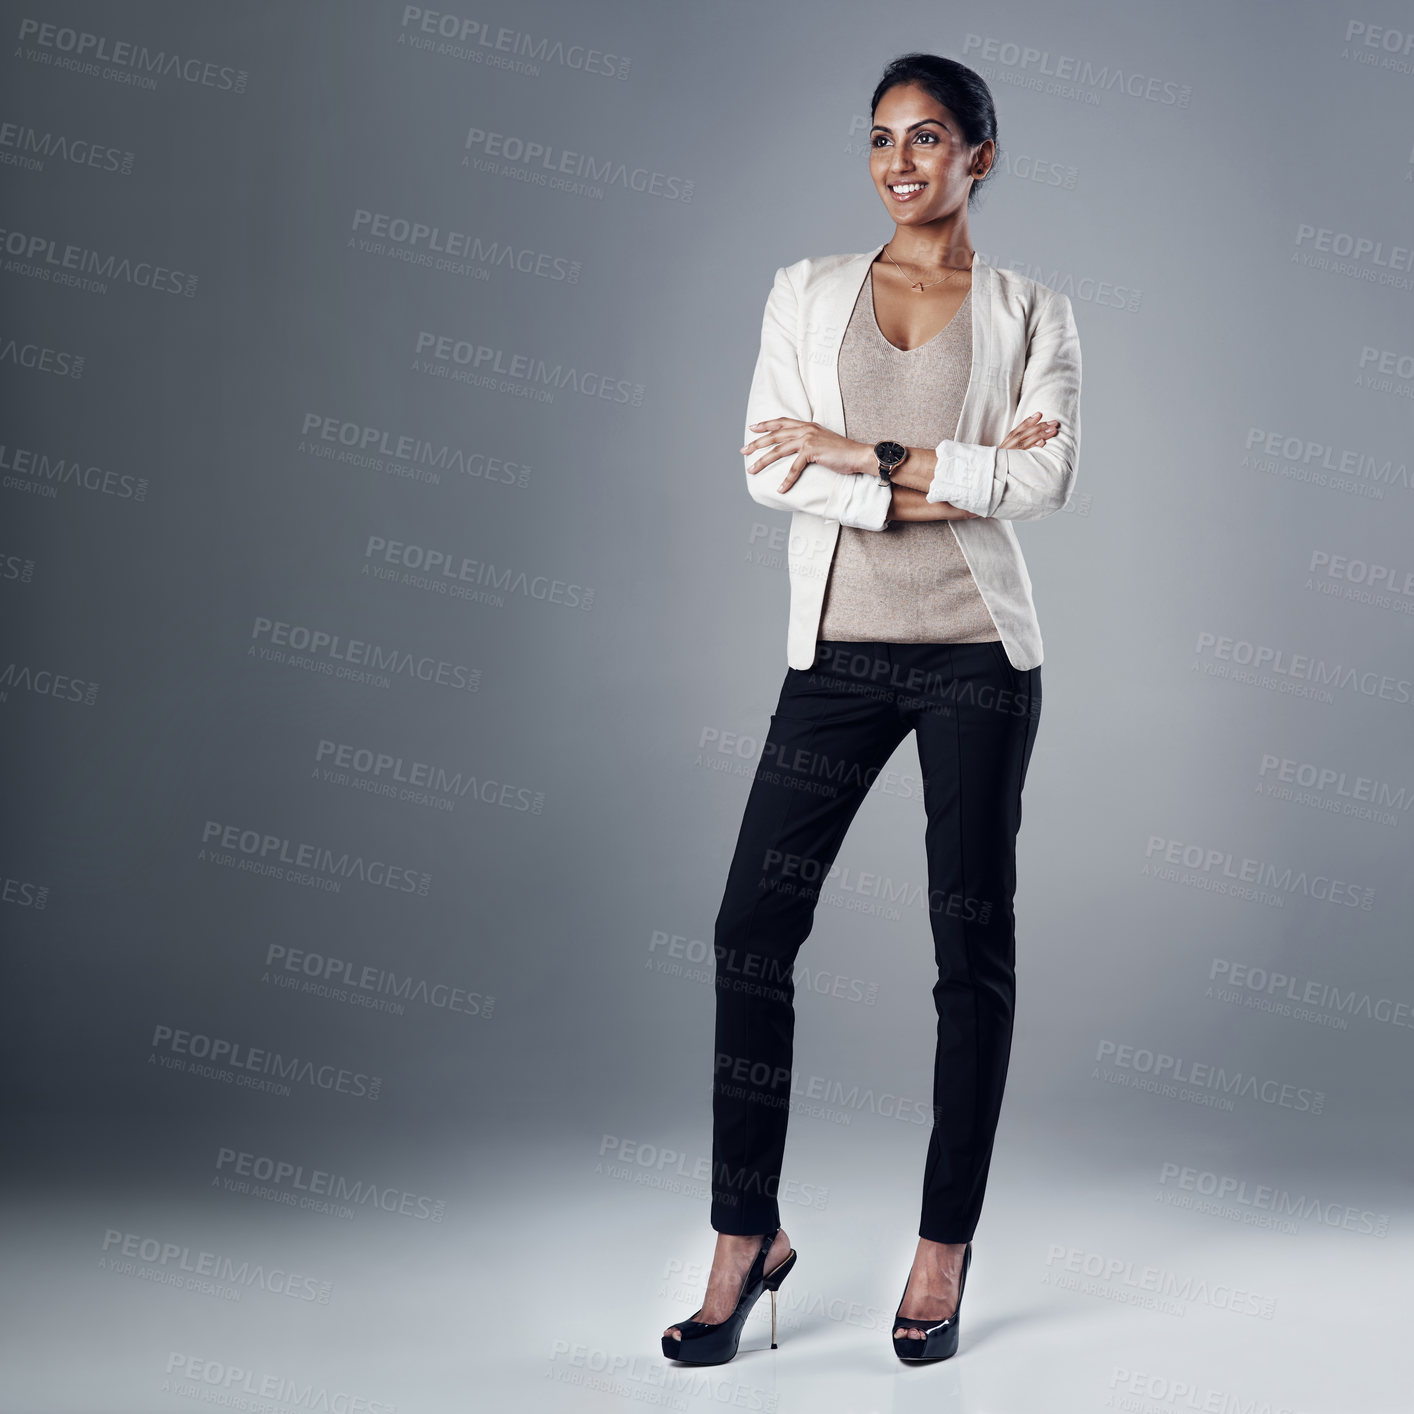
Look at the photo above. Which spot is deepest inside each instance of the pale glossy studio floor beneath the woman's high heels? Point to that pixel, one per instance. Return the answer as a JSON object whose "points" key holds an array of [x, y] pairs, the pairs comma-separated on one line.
{"points": [[548, 1282]]}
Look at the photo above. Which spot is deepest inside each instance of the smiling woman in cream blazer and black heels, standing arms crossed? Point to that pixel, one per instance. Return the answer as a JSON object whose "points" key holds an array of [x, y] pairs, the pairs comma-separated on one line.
{"points": [[883, 416]]}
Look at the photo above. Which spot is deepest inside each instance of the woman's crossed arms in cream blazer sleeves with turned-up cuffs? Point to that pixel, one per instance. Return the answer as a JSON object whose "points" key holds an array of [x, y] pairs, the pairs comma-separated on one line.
{"points": [[1024, 477]]}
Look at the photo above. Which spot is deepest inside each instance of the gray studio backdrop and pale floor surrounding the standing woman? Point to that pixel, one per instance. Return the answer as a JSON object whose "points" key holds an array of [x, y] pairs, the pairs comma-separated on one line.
{"points": [[303, 310]]}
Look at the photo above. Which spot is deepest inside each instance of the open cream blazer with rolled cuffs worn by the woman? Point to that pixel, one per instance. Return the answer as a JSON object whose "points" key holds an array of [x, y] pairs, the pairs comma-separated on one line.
{"points": [[1026, 360]]}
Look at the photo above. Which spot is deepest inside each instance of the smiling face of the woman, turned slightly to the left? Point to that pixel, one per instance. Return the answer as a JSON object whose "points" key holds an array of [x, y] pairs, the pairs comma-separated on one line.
{"points": [[920, 162]]}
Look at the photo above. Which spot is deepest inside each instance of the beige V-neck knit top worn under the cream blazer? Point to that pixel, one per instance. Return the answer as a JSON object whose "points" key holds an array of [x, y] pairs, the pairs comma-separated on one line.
{"points": [[910, 583]]}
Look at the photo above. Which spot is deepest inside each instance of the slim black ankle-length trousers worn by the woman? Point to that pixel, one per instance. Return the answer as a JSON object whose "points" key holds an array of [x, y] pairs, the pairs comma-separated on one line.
{"points": [[832, 733]]}
